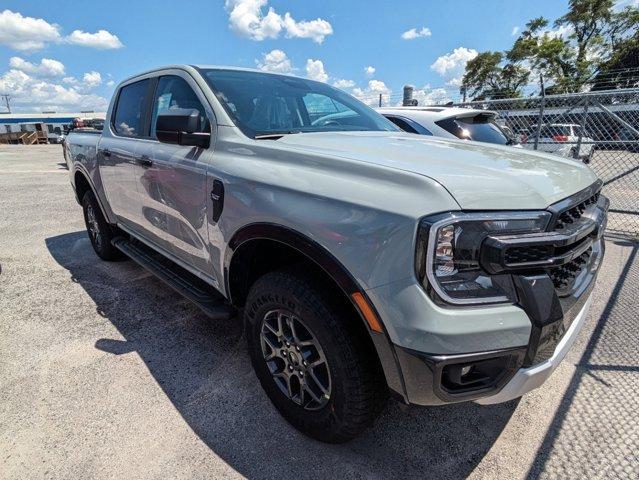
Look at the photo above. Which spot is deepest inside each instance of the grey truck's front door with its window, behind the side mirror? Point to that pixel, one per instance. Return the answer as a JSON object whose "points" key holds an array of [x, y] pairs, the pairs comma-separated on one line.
{"points": [[179, 179]]}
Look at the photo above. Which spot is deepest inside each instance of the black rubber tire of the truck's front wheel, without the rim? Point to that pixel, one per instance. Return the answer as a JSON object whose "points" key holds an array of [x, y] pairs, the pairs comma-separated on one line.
{"points": [[358, 390]]}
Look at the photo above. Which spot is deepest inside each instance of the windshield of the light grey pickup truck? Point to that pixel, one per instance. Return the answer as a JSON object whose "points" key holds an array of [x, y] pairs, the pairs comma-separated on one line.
{"points": [[263, 104]]}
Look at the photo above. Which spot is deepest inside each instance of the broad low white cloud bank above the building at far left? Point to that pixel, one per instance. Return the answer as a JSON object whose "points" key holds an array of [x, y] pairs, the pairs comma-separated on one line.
{"points": [[33, 94]]}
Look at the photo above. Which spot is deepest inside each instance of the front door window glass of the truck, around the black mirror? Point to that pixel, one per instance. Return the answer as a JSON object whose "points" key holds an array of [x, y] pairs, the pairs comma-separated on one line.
{"points": [[174, 92]]}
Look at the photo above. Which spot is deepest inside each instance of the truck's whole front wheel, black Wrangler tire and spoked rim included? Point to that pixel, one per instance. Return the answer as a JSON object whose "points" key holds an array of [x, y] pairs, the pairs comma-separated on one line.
{"points": [[315, 368]]}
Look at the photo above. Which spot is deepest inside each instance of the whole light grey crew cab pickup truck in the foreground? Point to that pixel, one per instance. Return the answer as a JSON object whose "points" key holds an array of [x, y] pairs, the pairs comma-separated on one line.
{"points": [[365, 262]]}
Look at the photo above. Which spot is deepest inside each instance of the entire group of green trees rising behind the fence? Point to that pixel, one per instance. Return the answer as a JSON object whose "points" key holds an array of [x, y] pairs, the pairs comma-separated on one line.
{"points": [[590, 37]]}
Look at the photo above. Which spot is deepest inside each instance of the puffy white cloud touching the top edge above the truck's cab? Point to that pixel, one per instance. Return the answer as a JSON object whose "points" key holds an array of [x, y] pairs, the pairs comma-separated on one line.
{"points": [[247, 19]]}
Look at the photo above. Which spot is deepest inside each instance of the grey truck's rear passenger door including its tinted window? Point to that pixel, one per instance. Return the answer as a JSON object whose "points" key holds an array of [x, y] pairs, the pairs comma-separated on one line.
{"points": [[117, 153]]}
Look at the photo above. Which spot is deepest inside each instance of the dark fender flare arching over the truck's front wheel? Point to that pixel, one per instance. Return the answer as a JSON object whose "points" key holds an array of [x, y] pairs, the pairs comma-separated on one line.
{"points": [[324, 259]]}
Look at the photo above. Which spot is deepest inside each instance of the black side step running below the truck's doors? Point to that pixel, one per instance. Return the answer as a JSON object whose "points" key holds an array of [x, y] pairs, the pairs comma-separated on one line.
{"points": [[203, 295]]}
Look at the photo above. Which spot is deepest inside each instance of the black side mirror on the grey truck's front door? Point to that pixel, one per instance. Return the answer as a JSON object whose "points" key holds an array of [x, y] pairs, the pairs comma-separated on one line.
{"points": [[181, 126]]}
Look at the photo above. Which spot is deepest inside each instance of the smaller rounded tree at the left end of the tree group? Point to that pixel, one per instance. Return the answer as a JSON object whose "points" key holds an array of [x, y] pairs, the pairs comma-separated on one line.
{"points": [[486, 77]]}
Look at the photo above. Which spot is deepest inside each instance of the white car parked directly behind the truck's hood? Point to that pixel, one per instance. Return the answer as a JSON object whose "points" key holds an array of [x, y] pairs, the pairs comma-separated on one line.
{"points": [[449, 122]]}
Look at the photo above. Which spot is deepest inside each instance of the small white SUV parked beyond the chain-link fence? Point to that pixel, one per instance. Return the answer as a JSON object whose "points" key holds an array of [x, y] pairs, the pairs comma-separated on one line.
{"points": [[562, 139]]}
